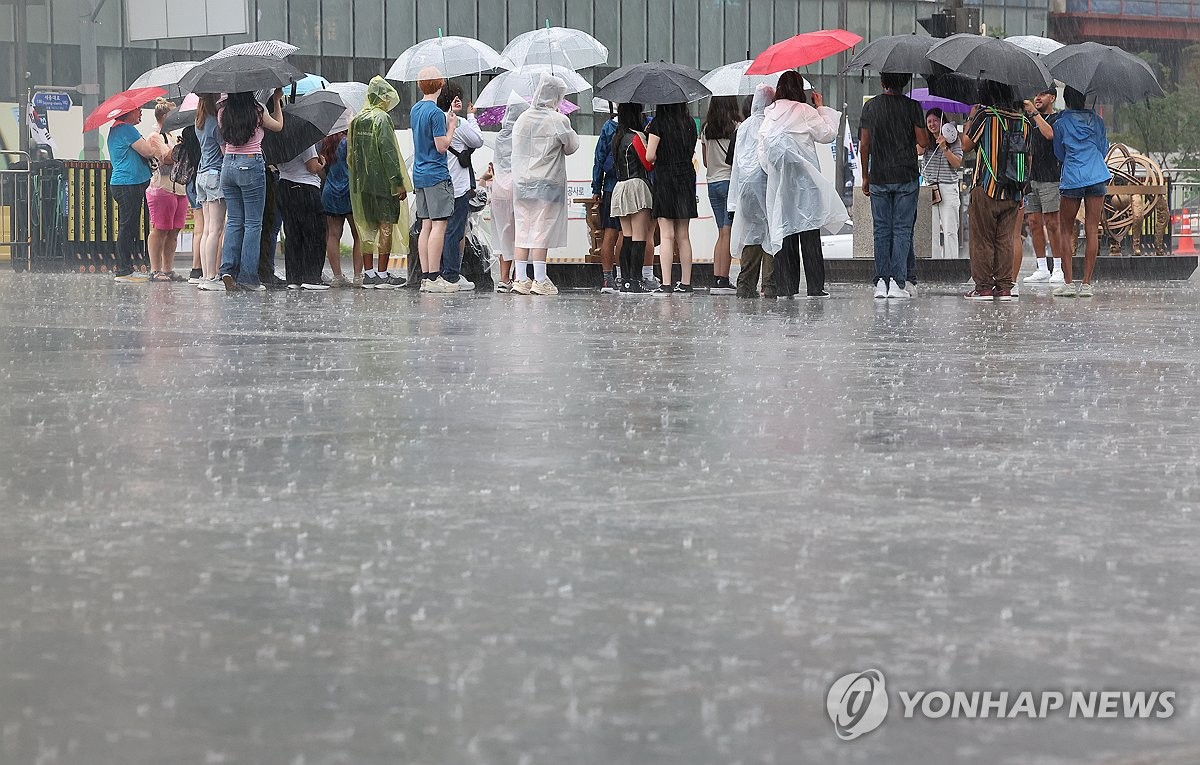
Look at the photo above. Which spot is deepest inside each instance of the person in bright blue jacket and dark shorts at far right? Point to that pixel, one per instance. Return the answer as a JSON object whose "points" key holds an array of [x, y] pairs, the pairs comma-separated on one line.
{"points": [[1082, 144]]}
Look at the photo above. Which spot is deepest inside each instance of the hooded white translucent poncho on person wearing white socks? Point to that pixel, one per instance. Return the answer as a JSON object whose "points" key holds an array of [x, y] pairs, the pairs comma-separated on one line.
{"points": [[542, 140]]}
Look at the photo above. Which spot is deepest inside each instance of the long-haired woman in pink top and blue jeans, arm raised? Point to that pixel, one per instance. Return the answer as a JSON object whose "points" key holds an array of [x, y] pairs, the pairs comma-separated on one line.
{"points": [[243, 123]]}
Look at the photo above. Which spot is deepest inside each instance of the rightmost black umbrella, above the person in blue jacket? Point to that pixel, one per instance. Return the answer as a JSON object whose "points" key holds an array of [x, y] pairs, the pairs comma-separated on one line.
{"points": [[1105, 73]]}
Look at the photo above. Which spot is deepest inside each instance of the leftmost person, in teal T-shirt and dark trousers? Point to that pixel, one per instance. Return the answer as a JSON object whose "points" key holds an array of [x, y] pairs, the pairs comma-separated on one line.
{"points": [[131, 155]]}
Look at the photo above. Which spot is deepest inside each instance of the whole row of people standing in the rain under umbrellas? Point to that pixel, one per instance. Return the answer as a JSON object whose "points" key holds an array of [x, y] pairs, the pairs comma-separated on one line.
{"points": [[770, 198]]}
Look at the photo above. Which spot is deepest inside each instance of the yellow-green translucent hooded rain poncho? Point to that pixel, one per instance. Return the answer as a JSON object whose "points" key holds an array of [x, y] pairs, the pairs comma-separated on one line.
{"points": [[377, 170]]}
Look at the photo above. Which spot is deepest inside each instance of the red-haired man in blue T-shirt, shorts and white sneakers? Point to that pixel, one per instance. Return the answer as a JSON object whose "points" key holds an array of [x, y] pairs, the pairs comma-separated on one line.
{"points": [[433, 132]]}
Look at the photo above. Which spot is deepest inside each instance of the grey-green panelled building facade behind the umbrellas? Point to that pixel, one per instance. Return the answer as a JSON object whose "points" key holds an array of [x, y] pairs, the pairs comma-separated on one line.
{"points": [[346, 40]]}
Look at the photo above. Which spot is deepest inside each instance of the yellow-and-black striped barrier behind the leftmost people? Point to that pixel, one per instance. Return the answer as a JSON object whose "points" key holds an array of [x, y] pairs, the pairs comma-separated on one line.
{"points": [[91, 245]]}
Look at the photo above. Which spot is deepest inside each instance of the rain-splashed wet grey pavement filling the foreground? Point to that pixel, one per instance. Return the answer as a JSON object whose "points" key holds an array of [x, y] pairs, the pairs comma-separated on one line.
{"points": [[357, 528]]}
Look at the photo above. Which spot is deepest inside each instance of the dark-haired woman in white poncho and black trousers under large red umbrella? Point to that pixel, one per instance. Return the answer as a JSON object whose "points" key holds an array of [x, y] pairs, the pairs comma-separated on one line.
{"points": [[801, 201]]}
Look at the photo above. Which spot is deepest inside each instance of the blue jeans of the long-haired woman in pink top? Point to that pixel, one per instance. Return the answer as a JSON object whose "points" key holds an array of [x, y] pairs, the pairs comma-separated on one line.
{"points": [[244, 185]]}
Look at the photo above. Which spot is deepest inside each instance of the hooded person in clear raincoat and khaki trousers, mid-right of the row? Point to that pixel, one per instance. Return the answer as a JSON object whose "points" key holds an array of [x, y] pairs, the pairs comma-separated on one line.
{"points": [[748, 202]]}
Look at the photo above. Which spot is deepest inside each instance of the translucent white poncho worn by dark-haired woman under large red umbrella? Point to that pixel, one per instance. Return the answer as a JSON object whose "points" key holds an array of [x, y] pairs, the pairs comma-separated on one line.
{"points": [[800, 197]]}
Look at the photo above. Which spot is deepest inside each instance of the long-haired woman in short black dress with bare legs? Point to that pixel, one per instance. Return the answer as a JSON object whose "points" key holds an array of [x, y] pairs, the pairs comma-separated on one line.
{"points": [[671, 149]]}
